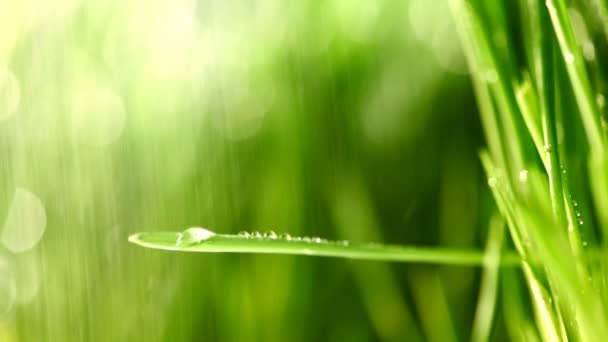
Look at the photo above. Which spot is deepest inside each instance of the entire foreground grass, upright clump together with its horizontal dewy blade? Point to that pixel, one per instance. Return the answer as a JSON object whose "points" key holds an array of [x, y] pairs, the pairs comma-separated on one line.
{"points": [[537, 72]]}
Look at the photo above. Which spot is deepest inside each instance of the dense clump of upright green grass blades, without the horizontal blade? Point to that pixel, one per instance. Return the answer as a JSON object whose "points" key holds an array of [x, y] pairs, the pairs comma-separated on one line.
{"points": [[541, 110]]}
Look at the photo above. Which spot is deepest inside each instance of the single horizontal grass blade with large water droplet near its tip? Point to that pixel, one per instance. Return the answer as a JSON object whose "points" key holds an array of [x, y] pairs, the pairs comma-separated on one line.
{"points": [[205, 241]]}
